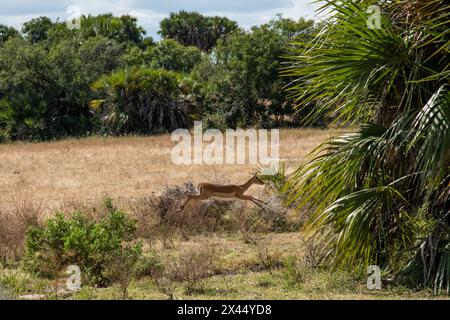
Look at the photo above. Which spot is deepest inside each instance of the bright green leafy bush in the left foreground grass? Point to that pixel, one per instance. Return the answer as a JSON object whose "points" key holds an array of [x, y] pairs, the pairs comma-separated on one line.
{"points": [[79, 239]]}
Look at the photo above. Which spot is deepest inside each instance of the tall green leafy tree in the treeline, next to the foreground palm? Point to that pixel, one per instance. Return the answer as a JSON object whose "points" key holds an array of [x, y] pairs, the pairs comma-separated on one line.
{"points": [[243, 82]]}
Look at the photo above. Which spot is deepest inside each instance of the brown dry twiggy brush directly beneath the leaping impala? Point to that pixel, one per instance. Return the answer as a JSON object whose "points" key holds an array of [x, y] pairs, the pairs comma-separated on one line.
{"points": [[158, 217]]}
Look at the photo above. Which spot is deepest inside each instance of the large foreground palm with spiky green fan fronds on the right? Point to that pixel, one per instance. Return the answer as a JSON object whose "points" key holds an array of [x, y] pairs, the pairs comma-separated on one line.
{"points": [[380, 194]]}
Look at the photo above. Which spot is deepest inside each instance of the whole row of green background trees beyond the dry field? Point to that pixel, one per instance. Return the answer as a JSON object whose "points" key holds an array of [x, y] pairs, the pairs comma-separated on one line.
{"points": [[109, 78]]}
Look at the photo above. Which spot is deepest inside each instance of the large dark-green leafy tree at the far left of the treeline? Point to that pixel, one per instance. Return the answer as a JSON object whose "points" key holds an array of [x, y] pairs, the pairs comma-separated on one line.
{"points": [[45, 92]]}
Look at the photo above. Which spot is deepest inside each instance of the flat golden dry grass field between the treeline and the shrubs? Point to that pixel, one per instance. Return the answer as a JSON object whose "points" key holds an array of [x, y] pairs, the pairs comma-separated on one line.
{"points": [[55, 174]]}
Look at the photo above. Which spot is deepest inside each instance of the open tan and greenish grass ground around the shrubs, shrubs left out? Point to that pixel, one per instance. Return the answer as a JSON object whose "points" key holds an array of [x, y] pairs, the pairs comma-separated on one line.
{"points": [[248, 263]]}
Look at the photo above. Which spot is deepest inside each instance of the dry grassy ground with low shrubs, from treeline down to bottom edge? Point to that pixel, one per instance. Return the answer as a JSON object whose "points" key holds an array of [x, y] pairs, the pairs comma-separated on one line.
{"points": [[108, 205]]}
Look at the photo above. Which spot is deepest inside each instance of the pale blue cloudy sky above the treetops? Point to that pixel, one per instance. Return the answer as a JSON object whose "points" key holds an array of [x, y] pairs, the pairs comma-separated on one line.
{"points": [[150, 12]]}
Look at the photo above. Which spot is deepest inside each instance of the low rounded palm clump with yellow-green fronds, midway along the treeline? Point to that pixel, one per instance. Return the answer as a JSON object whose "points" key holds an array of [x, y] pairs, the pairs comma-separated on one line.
{"points": [[139, 100]]}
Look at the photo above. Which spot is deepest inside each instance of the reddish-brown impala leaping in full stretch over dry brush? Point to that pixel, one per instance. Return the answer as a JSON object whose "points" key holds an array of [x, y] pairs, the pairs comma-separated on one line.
{"points": [[209, 190]]}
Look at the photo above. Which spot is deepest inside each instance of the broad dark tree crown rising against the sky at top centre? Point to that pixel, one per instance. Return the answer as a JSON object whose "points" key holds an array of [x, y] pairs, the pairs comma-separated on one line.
{"points": [[194, 29]]}
